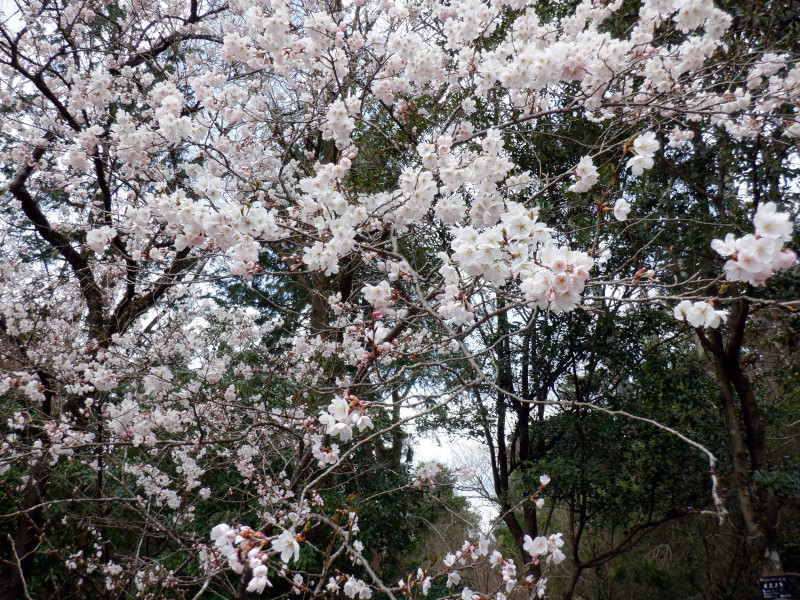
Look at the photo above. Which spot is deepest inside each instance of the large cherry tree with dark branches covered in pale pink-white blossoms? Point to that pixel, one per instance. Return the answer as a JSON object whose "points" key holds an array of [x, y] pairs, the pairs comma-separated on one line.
{"points": [[371, 170]]}
